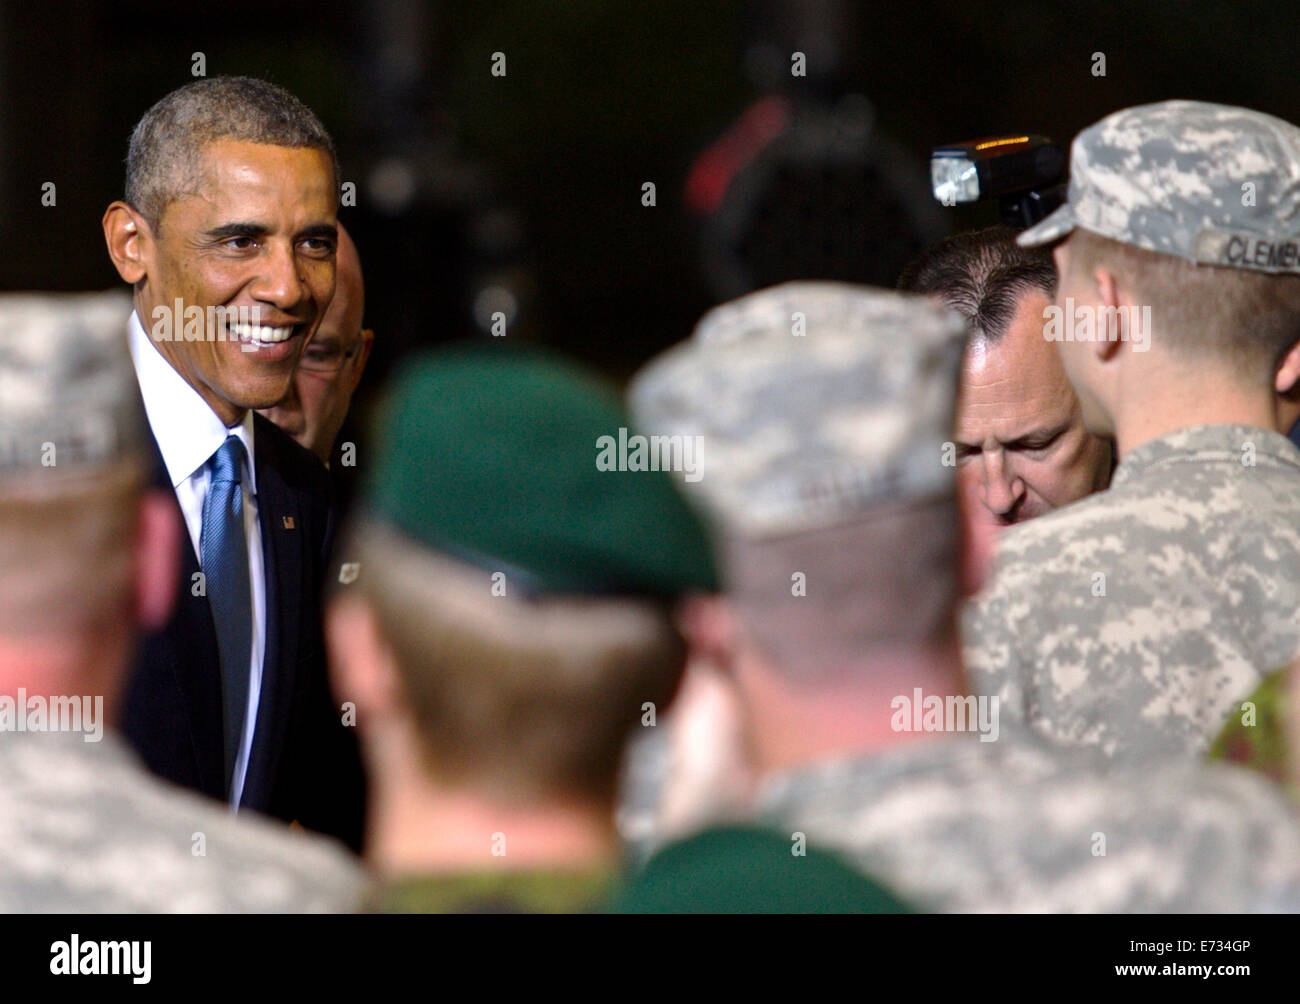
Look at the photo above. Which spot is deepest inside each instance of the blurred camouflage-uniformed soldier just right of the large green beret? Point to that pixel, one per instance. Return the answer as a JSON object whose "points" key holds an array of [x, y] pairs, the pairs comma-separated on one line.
{"points": [[825, 413]]}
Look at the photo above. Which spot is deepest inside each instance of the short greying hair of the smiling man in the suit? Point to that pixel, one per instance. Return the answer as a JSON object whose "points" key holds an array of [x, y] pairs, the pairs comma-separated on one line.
{"points": [[166, 153]]}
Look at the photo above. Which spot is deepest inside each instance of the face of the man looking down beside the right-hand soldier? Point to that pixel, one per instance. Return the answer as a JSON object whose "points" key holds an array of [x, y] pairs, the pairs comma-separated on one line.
{"points": [[1021, 443]]}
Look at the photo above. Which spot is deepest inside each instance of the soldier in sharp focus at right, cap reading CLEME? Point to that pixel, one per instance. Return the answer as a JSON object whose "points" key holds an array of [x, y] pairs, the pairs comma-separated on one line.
{"points": [[1134, 621]]}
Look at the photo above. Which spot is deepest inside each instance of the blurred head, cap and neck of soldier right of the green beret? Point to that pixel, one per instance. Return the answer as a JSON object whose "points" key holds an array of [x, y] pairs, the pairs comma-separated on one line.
{"points": [[825, 412]]}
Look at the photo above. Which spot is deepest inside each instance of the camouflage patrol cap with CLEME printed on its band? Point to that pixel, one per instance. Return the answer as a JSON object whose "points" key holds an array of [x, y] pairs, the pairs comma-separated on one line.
{"points": [[1207, 183]]}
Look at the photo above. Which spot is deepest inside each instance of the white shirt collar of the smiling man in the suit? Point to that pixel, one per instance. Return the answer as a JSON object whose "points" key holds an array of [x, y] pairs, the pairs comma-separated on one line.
{"points": [[187, 430]]}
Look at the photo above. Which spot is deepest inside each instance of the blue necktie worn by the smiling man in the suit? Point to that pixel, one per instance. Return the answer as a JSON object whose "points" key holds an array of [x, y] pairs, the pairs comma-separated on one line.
{"points": [[226, 565]]}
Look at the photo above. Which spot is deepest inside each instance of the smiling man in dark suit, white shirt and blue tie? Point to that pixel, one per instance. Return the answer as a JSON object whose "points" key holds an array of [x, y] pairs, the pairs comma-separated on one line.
{"points": [[228, 236]]}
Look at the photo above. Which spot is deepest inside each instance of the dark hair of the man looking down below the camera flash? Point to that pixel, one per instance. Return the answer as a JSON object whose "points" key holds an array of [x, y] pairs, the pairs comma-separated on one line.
{"points": [[982, 275]]}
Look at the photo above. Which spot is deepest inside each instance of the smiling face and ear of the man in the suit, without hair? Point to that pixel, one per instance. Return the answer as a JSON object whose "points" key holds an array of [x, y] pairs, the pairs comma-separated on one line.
{"points": [[258, 236]]}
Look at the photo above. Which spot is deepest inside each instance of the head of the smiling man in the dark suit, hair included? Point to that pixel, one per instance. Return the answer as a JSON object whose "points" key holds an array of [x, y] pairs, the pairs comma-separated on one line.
{"points": [[231, 204]]}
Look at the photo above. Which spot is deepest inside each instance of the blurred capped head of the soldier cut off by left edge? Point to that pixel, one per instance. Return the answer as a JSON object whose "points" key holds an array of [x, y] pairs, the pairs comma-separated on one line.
{"points": [[86, 555]]}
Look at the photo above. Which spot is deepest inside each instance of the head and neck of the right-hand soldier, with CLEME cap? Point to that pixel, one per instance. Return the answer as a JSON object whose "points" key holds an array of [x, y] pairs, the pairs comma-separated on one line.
{"points": [[1180, 267]]}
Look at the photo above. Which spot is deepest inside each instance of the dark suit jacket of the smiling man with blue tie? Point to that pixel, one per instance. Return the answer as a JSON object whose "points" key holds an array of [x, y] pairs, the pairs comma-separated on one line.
{"points": [[305, 763]]}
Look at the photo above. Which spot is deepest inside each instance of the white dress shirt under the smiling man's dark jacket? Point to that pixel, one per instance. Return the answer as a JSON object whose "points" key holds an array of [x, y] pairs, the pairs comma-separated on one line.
{"points": [[188, 434]]}
